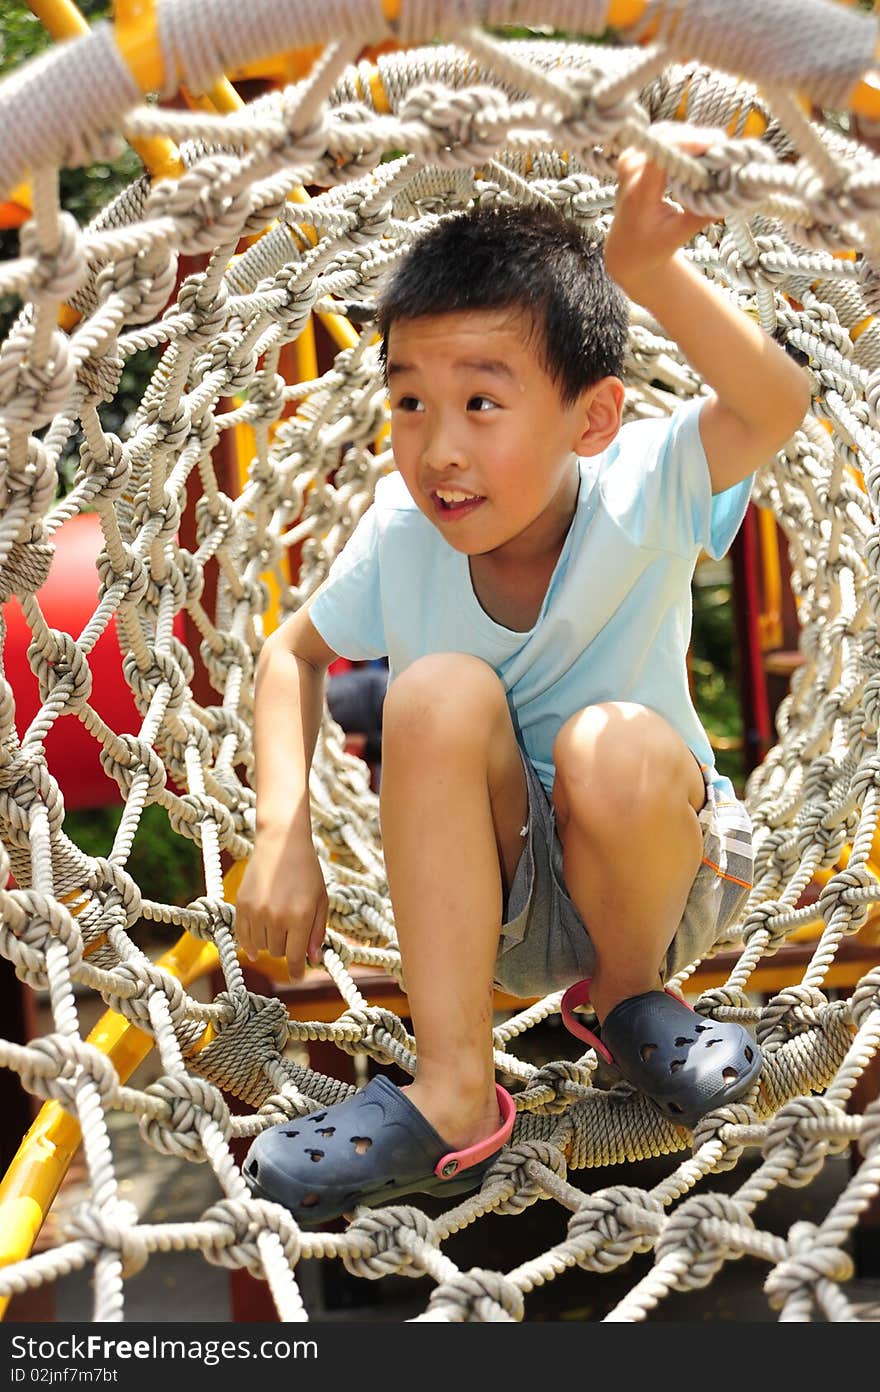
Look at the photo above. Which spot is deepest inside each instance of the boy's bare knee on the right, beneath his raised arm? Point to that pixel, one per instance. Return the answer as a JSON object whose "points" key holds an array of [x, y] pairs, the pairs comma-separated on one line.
{"points": [[615, 762]]}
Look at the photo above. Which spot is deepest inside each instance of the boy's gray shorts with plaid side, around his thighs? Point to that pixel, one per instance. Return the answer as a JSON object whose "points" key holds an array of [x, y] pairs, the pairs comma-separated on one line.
{"points": [[545, 944]]}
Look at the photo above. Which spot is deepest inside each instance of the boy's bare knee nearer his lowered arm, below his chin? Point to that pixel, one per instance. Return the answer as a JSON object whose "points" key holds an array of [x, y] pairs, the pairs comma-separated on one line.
{"points": [[445, 697]]}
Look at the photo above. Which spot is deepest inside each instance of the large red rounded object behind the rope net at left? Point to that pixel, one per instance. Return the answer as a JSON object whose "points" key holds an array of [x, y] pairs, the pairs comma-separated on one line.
{"points": [[69, 599]]}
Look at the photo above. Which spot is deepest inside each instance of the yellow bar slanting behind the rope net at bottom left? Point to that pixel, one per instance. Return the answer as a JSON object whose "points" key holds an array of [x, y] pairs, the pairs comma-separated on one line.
{"points": [[34, 1178]]}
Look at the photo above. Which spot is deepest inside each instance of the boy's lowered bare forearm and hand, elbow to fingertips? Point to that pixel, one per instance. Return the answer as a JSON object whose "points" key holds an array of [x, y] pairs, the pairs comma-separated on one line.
{"points": [[282, 904]]}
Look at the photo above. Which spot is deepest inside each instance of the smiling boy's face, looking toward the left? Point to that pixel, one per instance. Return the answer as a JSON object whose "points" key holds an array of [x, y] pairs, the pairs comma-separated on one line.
{"points": [[481, 435]]}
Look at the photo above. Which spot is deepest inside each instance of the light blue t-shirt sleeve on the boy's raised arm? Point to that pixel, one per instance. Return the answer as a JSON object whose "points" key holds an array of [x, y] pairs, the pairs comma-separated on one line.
{"points": [[661, 489]]}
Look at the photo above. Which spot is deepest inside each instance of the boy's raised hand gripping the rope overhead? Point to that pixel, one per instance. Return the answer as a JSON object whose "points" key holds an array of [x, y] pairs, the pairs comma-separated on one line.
{"points": [[648, 229]]}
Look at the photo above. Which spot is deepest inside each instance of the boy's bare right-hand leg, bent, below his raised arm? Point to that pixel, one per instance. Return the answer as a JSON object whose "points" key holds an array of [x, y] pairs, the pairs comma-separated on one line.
{"points": [[627, 796]]}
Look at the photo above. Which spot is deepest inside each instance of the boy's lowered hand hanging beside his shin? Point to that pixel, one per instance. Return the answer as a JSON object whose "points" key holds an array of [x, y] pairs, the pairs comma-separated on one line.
{"points": [[282, 905]]}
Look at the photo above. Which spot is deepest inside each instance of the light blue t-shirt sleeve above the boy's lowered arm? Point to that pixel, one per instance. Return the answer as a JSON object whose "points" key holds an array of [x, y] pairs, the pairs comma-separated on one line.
{"points": [[347, 610]]}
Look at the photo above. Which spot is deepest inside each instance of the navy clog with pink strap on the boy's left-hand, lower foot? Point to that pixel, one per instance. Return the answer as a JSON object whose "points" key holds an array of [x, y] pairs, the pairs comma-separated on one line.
{"points": [[371, 1149]]}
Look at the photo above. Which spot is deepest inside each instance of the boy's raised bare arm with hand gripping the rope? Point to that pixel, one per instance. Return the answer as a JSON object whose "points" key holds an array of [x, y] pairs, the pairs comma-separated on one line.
{"points": [[761, 395]]}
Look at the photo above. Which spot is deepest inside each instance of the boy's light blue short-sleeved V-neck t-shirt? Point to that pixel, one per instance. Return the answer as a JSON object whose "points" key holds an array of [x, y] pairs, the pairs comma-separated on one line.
{"points": [[616, 620]]}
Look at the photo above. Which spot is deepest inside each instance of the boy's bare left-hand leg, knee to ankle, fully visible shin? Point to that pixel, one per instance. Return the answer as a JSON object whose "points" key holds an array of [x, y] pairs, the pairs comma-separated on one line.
{"points": [[453, 802]]}
